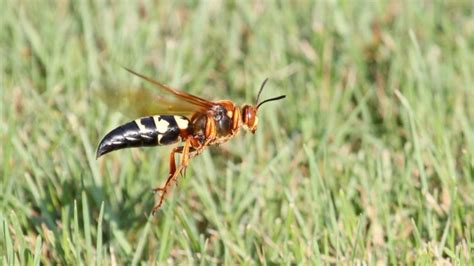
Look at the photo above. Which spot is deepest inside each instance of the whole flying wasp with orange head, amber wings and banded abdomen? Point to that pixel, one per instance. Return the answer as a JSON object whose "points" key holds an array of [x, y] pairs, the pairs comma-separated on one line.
{"points": [[187, 118]]}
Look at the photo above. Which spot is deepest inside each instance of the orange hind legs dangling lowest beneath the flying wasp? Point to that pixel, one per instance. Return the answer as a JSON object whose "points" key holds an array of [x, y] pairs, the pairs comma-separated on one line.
{"points": [[174, 172]]}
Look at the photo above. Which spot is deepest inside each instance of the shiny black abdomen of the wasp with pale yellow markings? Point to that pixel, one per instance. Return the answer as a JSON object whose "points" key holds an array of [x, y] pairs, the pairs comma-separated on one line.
{"points": [[147, 131]]}
